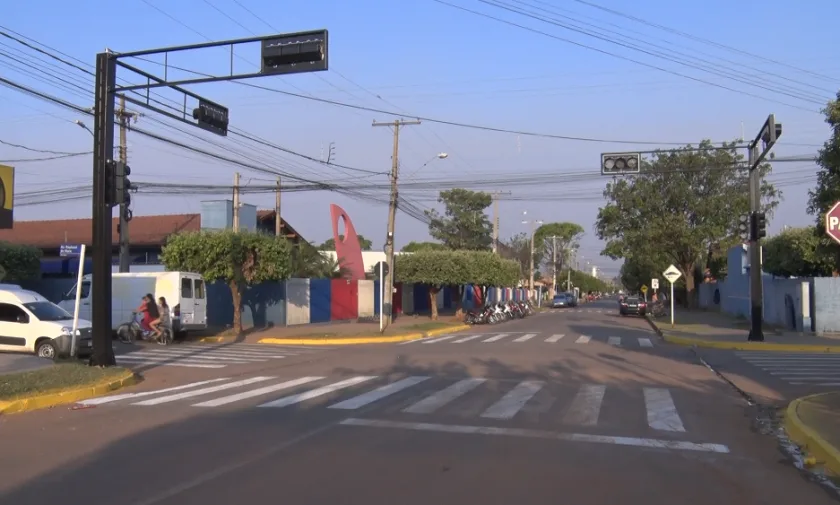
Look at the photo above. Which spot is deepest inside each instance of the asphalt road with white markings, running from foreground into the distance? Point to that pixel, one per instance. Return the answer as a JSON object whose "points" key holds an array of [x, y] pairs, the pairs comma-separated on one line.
{"points": [[515, 420]]}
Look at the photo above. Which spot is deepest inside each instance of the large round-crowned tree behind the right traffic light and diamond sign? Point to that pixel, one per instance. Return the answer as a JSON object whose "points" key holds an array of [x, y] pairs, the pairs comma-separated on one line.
{"points": [[682, 205]]}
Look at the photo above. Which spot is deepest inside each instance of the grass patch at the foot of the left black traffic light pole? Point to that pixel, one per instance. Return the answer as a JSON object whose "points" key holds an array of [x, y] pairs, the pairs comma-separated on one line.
{"points": [[54, 378]]}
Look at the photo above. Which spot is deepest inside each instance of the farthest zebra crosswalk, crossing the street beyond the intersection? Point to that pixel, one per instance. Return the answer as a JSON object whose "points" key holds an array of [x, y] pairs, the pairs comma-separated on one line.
{"points": [[521, 337]]}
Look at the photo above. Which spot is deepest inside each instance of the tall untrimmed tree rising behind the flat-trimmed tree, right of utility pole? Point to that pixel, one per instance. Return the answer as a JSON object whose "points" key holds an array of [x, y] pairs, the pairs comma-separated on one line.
{"points": [[464, 225]]}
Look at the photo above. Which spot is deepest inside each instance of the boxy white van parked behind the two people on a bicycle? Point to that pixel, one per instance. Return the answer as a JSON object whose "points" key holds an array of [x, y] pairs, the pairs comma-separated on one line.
{"points": [[185, 292]]}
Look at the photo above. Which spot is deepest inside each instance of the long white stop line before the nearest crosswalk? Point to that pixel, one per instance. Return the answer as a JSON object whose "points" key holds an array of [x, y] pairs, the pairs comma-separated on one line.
{"points": [[519, 432]]}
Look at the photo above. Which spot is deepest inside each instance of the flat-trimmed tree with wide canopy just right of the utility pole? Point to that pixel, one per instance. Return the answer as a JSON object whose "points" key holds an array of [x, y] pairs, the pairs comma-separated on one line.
{"points": [[437, 269]]}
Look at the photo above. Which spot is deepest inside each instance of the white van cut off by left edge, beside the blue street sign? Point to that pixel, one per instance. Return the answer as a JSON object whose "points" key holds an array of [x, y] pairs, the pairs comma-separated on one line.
{"points": [[31, 323]]}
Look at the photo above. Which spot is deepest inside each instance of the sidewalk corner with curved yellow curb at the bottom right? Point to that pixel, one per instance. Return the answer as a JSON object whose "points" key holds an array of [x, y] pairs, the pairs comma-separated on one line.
{"points": [[813, 422]]}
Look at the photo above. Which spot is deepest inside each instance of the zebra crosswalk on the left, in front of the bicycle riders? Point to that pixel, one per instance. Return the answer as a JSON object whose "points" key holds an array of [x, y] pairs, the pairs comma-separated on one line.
{"points": [[206, 355]]}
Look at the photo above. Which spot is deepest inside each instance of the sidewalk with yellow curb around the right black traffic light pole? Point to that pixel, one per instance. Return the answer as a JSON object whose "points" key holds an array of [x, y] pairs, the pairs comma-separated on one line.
{"points": [[715, 330]]}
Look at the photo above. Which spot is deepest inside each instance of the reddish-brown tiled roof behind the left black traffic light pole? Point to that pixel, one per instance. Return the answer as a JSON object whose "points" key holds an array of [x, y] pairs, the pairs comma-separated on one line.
{"points": [[143, 230]]}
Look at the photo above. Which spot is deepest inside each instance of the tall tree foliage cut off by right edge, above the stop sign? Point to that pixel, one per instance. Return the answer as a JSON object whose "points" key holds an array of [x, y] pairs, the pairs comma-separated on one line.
{"points": [[827, 191]]}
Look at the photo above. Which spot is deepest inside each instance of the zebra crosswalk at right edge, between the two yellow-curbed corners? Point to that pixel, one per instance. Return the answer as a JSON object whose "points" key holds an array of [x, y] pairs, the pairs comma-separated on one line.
{"points": [[797, 368]]}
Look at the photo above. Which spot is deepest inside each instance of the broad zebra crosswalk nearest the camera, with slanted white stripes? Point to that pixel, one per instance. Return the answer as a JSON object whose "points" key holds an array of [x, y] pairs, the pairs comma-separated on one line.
{"points": [[415, 396]]}
